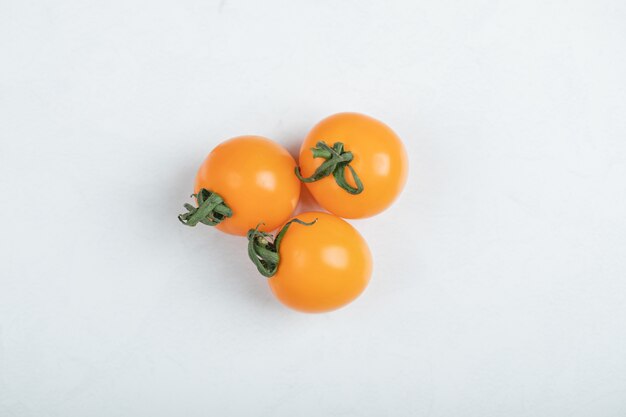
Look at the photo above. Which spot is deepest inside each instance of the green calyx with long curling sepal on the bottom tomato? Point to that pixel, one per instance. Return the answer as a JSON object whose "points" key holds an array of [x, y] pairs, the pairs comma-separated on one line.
{"points": [[263, 249]]}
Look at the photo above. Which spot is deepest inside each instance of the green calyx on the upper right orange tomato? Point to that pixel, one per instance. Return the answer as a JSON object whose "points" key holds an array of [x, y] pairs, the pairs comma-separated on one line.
{"points": [[337, 160]]}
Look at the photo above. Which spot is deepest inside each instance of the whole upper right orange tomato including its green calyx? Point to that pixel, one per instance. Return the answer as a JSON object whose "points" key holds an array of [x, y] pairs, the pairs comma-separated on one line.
{"points": [[369, 148]]}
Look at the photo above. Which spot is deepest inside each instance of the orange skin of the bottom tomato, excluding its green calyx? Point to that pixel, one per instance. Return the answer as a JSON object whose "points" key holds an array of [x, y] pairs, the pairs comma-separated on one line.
{"points": [[323, 266]]}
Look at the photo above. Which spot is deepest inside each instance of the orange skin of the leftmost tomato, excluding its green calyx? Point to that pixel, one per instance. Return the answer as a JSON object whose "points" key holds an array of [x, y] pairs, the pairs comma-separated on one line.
{"points": [[255, 177]]}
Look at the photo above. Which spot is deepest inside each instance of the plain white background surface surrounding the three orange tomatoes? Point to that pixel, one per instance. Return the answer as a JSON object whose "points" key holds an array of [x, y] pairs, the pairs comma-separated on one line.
{"points": [[500, 274]]}
